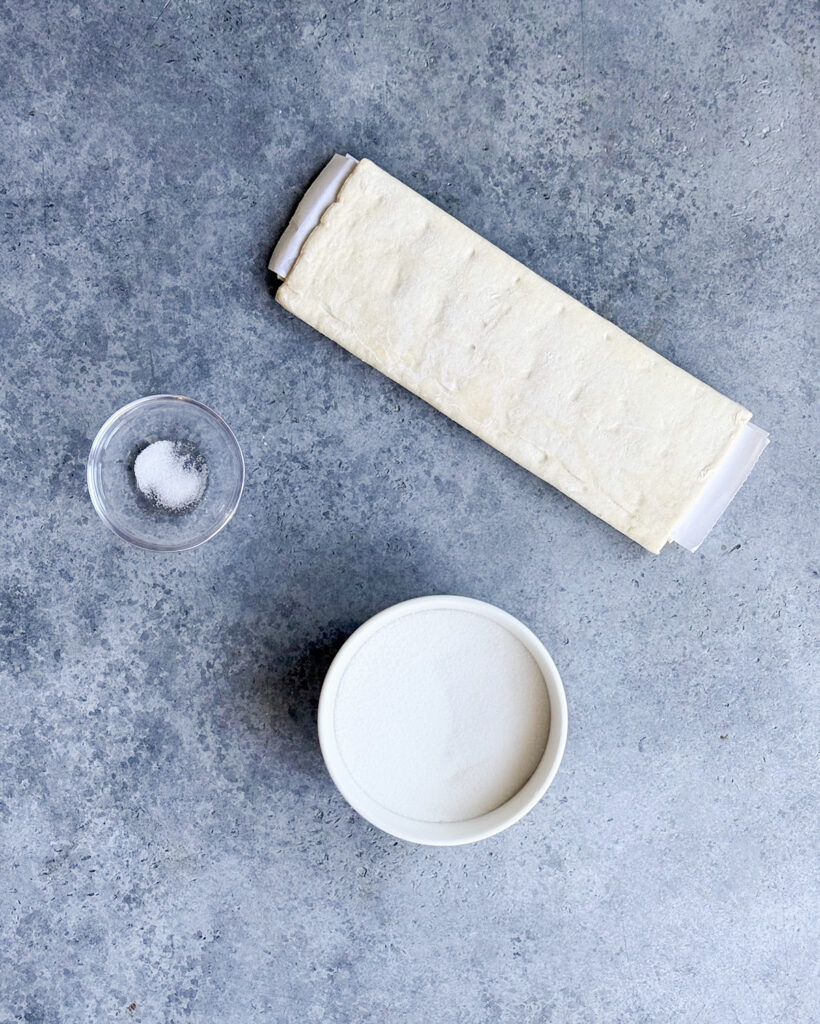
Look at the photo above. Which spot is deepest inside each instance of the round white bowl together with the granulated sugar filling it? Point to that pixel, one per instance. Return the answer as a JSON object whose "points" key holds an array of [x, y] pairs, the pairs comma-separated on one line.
{"points": [[443, 720]]}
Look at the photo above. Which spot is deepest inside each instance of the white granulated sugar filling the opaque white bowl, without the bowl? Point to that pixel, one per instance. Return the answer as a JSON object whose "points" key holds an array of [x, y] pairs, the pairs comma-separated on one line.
{"points": [[443, 716]]}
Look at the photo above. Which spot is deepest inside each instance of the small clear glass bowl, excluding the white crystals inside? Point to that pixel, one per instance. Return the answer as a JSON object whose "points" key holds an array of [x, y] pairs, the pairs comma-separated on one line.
{"points": [[113, 487]]}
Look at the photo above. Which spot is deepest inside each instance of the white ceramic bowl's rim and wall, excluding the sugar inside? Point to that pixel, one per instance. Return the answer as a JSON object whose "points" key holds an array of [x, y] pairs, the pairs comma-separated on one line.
{"points": [[446, 833]]}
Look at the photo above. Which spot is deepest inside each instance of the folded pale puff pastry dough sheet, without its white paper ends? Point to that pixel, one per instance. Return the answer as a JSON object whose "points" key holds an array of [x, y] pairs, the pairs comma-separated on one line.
{"points": [[566, 394]]}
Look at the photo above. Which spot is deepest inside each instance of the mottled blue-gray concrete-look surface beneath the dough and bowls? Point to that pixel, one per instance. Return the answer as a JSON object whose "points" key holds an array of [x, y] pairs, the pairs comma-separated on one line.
{"points": [[172, 848]]}
